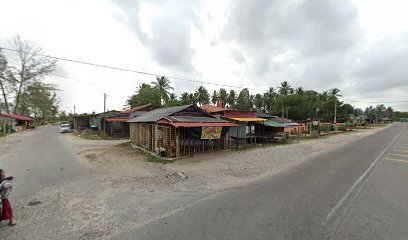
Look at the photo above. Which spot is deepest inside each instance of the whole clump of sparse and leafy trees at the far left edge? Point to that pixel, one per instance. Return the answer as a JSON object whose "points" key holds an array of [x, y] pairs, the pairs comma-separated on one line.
{"points": [[22, 87]]}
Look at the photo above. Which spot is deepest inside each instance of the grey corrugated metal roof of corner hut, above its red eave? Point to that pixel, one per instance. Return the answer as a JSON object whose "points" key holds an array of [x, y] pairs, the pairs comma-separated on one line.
{"points": [[160, 113]]}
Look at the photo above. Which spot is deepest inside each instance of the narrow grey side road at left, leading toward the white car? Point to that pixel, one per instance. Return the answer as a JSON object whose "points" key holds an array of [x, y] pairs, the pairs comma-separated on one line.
{"points": [[37, 159]]}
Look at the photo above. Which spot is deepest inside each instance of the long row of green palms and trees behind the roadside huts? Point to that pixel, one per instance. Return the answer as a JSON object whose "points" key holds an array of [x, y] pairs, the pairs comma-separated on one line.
{"points": [[284, 101]]}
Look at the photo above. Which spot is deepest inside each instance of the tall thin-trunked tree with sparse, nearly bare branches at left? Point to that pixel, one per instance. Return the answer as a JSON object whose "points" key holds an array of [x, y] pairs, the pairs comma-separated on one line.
{"points": [[32, 66]]}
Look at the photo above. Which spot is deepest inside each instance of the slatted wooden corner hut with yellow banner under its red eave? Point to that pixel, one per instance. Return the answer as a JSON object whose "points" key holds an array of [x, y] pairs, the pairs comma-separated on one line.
{"points": [[180, 131]]}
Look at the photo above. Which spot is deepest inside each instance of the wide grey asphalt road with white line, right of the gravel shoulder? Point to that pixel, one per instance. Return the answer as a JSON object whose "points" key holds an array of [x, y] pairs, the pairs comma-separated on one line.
{"points": [[355, 192]]}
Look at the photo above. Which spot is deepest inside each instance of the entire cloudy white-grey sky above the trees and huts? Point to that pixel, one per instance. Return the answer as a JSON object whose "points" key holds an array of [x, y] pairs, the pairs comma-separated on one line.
{"points": [[358, 46]]}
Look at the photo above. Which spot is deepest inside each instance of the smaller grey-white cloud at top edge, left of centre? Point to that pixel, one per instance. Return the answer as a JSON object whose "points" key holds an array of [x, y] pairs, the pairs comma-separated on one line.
{"points": [[164, 27]]}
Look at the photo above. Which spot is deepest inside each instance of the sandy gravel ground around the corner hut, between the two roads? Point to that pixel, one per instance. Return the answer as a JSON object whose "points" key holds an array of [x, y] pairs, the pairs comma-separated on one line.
{"points": [[124, 190]]}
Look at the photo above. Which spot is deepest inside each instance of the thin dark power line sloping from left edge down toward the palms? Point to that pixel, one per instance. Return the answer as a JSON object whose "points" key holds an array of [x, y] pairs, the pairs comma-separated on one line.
{"points": [[135, 71]]}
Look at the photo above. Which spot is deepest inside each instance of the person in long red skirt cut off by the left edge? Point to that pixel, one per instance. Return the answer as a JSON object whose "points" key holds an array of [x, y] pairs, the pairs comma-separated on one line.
{"points": [[5, 188]]}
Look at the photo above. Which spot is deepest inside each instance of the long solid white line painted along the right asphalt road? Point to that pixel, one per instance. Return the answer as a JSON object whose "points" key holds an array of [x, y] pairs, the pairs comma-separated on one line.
{"points": [[352, 188]]}
